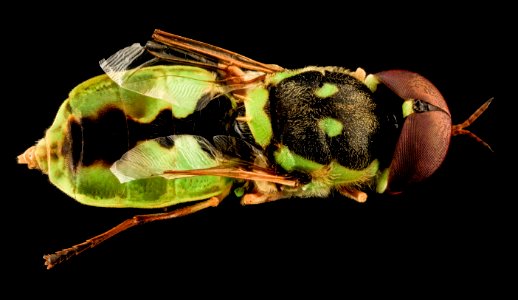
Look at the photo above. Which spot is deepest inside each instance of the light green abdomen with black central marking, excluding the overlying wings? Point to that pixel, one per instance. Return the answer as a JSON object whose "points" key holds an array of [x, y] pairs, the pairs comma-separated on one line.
{"points": [[100, 122]]}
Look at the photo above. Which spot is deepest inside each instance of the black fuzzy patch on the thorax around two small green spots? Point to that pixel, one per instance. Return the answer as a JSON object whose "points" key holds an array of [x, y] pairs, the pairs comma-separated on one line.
{"points": [[296, 111]]}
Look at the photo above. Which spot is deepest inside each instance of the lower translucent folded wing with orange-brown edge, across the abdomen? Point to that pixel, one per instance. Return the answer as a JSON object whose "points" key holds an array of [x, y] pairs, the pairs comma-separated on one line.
{"points": [[178, 156]]}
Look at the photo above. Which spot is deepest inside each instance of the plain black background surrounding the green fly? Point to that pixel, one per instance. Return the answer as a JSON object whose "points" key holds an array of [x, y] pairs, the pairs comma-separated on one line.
{"points": [[447, 233]]}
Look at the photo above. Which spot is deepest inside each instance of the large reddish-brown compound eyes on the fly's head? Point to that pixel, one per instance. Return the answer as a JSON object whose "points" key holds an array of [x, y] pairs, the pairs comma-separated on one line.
{"points": [[425, 136]]}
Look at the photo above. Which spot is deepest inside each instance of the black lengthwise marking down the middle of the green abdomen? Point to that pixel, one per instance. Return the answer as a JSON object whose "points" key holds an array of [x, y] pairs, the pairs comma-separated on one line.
{"points": [[105, 138]]}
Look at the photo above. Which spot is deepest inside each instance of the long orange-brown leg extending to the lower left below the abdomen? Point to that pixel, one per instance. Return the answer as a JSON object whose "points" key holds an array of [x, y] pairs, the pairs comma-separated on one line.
{"points": [[53, 259]]}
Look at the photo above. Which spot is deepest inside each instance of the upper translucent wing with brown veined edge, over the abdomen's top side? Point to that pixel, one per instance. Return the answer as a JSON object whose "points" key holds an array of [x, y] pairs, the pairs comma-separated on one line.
{"points": [[183, 71]]}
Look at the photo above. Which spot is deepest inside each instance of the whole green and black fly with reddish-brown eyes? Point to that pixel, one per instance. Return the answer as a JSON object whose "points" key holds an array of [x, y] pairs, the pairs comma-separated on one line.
{"points": [[179, 121]]}
